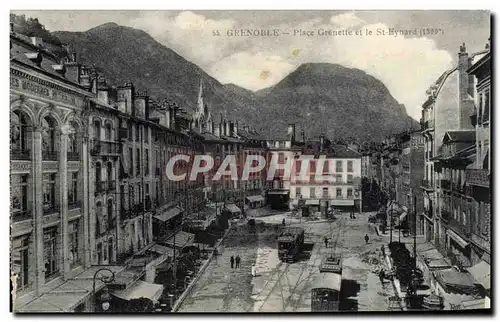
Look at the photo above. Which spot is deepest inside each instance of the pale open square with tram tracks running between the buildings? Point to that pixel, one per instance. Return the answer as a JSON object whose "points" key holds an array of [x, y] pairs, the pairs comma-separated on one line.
{"points": [[283, 287]]}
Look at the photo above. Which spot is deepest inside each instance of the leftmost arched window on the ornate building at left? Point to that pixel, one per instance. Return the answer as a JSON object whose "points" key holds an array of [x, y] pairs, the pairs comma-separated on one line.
{"points": [[19, 135]]}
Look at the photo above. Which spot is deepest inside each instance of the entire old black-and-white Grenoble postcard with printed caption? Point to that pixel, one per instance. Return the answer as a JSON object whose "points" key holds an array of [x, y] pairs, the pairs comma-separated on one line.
{"points": [[250, 161]]}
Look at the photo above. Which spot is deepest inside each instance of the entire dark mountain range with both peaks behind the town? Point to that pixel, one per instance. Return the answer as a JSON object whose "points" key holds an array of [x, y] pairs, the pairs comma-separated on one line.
{"points": [[324, 98]]}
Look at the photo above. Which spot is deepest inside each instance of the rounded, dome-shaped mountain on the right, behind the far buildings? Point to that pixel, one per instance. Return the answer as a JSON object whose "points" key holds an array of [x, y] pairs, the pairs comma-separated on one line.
{"points": [[334, 100]]}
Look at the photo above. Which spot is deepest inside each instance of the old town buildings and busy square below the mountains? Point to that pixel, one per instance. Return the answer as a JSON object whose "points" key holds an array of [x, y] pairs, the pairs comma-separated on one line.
{"points": [[97, 224]]}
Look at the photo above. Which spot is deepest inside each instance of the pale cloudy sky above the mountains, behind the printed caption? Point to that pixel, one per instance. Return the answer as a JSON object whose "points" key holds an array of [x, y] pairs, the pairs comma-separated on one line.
{"points": [[407, 65]]}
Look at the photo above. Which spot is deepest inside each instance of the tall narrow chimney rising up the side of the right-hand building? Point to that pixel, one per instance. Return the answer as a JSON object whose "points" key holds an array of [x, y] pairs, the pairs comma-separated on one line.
{"points": [[465, 105]]}
